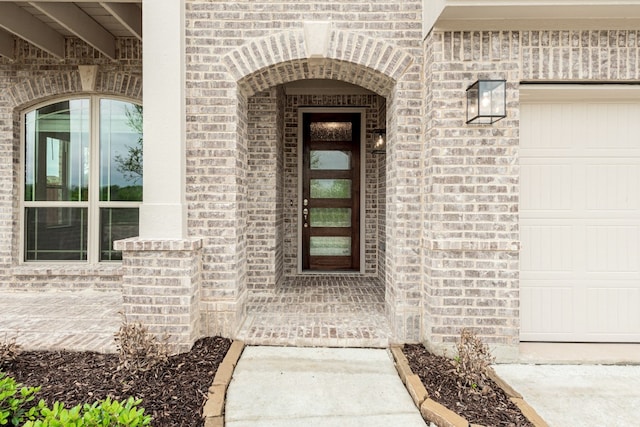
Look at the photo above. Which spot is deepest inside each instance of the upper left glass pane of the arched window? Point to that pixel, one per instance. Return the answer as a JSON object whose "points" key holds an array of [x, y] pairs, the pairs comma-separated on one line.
{"points": [[57, 152]]}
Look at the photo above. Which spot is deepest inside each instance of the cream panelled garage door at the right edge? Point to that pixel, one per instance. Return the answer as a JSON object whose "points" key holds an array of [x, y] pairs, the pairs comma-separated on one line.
{"points": [[580, 215]]}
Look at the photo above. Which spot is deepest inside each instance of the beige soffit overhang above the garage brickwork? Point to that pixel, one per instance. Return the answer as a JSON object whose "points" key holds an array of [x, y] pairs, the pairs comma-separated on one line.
{"points": [[535, 14]]}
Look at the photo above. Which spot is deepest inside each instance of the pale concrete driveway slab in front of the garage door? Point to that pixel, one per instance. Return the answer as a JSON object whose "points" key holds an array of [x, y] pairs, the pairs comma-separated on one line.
{"points": [[578, 395]]}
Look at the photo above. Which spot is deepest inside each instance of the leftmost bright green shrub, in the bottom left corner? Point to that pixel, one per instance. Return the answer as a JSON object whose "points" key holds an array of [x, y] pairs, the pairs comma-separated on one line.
{"points": [[15, 401]]}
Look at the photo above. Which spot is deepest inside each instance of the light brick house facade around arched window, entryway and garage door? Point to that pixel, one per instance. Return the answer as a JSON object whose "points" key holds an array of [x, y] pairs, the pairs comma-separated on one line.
{"points": [[445, 238]]}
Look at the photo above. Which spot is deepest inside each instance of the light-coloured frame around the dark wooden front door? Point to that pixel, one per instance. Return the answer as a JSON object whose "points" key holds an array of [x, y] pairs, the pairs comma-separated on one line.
{"points": [[363, 187]]}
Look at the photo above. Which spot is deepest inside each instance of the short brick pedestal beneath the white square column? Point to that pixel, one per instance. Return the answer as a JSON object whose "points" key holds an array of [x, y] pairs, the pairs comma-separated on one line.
{"points": [[161, 287]]}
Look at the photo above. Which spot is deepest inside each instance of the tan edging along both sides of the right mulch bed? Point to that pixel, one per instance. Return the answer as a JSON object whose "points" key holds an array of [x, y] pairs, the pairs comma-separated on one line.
{"points": [[434, 412]]}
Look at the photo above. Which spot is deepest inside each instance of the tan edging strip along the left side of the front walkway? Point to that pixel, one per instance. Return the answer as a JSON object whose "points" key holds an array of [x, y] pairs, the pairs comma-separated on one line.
{"points": [[213, 411]]}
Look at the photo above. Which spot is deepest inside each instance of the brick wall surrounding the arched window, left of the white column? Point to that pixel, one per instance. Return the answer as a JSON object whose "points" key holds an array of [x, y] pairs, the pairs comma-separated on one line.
{"points": [[33, 77]]}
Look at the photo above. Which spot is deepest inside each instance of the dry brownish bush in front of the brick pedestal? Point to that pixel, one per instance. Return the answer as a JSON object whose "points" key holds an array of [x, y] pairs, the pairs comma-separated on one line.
{"points": [[139, 350]]}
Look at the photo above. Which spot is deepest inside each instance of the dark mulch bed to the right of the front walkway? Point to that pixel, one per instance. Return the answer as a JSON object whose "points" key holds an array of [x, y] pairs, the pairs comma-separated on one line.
{"points": [[438, 377]]}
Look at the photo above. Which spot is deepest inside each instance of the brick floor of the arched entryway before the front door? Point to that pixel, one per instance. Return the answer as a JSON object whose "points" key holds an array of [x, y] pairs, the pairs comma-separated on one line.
{"points": [[319, 311]]}
